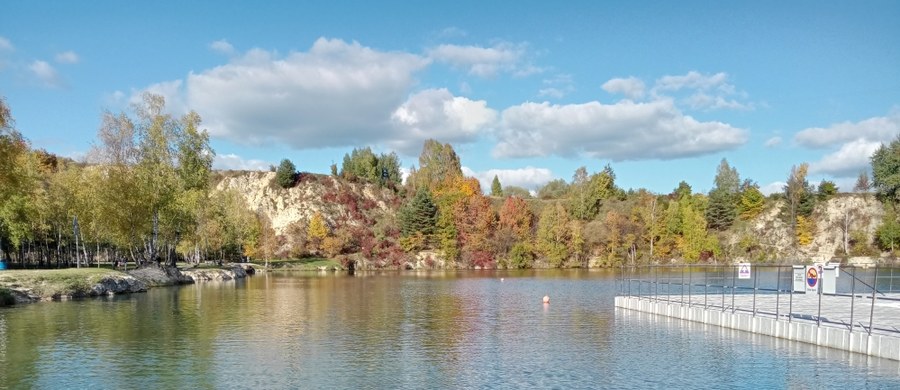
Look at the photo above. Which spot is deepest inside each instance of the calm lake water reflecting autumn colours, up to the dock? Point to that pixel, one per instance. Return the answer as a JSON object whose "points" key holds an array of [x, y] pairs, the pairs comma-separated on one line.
{"points": [[429, 330]]}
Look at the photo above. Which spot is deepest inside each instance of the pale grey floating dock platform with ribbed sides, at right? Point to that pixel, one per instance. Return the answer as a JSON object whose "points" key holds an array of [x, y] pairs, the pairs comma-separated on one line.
{"points": [[800, 317]]}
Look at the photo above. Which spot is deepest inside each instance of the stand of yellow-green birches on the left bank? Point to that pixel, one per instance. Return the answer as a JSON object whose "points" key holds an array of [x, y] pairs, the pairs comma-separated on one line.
{"points": [[143, 195]]}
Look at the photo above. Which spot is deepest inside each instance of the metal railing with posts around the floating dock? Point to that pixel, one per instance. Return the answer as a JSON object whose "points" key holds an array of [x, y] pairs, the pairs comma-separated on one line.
{"points": [[864, 299]]}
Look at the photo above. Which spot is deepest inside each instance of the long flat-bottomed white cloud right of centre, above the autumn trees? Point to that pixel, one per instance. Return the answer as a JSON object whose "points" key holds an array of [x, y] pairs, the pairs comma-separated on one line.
{"points": [[622, 131]]}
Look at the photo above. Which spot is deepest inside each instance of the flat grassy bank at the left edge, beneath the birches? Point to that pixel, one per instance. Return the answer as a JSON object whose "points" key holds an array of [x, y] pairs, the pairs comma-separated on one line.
{"points": [[53, 282]]}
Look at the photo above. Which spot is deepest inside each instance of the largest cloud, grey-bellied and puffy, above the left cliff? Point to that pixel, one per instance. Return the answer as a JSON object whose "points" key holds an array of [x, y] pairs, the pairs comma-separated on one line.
{"points": [[336, 94]]}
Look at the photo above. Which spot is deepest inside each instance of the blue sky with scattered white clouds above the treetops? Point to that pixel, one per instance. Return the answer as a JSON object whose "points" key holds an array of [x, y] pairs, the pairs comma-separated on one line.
{"points": [[527, 90]]}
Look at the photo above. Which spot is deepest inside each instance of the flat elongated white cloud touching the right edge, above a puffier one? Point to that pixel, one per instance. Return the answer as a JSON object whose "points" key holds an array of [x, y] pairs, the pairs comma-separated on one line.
{"points": [[877, 129]]}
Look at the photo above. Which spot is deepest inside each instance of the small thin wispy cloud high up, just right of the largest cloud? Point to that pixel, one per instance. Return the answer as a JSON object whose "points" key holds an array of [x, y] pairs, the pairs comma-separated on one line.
{"points": [[485, 61]]}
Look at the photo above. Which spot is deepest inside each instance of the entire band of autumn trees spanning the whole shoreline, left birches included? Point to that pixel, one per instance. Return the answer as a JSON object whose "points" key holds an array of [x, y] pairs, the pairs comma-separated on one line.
{"points": [[145, 194]]}
